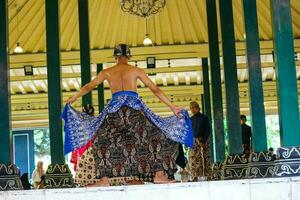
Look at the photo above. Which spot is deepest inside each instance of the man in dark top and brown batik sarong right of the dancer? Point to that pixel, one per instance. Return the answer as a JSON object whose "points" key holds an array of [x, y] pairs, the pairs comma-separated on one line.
{"points": [[199, 158]]}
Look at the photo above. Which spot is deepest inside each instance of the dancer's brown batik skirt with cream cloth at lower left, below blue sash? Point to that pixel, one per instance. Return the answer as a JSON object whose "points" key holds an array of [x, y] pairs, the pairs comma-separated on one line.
{"points": [[127, 146]]}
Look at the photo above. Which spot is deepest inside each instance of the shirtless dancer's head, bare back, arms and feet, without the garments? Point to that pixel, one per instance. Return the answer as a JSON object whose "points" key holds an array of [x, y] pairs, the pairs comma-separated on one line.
{"points": [[123, 77]]}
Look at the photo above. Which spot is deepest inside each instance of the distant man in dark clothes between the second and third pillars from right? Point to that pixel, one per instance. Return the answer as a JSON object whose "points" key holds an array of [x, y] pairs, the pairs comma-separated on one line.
{"points": [[246, 136]]}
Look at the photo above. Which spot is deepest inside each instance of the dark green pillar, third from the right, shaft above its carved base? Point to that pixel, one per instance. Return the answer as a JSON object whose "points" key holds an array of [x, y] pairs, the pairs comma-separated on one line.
{"points": [[231, 81]]}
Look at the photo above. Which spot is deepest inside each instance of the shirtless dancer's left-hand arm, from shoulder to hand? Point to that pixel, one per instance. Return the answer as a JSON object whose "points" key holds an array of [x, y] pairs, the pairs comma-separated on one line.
{"points": [[89, 86]]}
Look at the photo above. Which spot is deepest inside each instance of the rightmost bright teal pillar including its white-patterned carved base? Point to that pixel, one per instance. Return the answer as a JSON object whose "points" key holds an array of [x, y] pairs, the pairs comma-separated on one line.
{"points": [[288, 156]]}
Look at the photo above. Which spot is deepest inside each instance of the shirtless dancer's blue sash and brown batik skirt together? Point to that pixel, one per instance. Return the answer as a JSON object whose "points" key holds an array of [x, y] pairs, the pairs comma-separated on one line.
{"points": [[131, 141]]}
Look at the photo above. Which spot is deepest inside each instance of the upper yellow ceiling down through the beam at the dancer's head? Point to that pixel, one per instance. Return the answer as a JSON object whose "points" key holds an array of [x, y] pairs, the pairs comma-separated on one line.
{"points": [[179, 30]]}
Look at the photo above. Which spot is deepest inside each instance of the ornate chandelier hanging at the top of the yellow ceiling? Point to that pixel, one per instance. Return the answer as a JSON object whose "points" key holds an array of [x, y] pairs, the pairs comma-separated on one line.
{"points": [[142, 8]]}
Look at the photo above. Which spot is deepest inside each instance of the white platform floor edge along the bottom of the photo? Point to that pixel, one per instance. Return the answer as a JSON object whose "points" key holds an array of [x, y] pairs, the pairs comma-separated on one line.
{"points": [[254, 189]]}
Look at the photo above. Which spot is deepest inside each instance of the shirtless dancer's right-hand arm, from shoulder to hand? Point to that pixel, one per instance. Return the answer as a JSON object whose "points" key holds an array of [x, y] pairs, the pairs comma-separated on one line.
{"points": [[148, 82]]}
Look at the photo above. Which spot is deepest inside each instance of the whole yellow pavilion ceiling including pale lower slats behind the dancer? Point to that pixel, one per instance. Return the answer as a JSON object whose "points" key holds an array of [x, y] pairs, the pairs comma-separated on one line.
{"points": [[178, 32]]}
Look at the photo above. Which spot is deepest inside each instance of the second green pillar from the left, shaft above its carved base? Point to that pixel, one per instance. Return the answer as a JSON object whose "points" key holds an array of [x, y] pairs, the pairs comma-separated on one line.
{"points": [[54, 81]]}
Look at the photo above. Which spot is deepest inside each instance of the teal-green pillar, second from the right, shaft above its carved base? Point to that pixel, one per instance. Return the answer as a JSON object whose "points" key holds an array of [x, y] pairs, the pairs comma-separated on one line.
{"points": [[257, 108]]}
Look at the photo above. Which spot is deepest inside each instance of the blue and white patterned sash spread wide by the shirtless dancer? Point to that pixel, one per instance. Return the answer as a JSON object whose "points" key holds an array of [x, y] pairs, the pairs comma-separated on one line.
{"points": [[81, 128]]}
